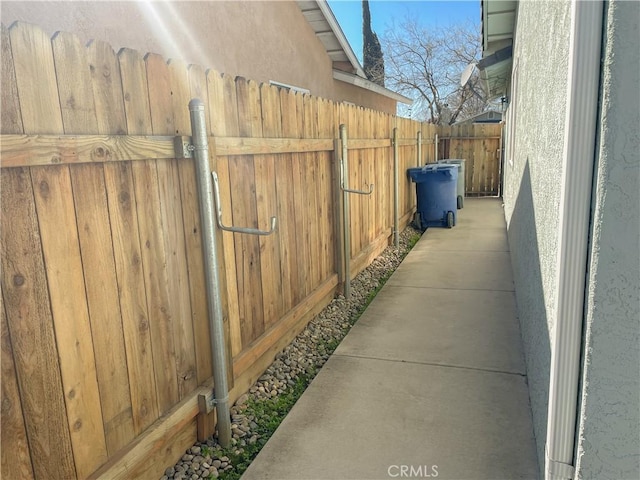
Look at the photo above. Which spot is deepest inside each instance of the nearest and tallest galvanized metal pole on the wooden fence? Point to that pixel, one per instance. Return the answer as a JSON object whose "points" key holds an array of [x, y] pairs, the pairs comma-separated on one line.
{"points": [[214, 300]]}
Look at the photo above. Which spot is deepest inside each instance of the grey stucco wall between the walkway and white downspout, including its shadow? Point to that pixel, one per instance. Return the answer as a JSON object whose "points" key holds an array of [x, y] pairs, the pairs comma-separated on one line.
{"points": [[532, 187]]}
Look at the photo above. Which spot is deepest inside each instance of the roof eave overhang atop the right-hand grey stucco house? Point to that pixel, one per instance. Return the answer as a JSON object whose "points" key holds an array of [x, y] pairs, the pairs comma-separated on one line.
{"points": [[498, 23]]}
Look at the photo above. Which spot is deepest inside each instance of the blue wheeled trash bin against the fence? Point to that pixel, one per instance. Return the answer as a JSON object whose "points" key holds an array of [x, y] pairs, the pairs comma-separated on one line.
{"points": [[436, 188]]}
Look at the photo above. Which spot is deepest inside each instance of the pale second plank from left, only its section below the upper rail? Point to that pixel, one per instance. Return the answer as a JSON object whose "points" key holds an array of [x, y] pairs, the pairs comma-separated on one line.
{"points": [[54, 202]]}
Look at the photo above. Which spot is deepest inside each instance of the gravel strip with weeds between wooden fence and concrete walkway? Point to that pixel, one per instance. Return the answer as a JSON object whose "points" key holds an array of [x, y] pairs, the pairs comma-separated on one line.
{"points": [[257, 413]]}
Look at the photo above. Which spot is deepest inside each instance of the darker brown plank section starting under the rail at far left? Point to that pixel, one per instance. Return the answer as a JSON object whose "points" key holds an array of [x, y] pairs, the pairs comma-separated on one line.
{"points": [[27, 304]]}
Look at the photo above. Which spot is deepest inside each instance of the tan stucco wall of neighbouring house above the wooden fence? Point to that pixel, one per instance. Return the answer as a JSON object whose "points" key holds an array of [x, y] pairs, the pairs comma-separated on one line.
{"points": [[265, 40]]}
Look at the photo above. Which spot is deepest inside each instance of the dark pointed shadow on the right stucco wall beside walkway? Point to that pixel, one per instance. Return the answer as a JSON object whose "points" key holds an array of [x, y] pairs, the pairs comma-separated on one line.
{"points": [[525, 260]]}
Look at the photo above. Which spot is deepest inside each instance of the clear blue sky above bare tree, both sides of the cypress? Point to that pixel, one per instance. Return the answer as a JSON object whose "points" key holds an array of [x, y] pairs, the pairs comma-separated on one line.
{"points": [[435, 13]]}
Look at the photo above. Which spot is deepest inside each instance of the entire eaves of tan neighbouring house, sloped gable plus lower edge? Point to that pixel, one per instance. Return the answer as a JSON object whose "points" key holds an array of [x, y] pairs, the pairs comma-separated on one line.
{"points": [[327, 29]]}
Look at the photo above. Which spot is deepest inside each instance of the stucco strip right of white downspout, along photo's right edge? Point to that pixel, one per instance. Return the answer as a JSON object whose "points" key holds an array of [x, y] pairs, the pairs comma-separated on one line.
{"points": [[609, 430]]}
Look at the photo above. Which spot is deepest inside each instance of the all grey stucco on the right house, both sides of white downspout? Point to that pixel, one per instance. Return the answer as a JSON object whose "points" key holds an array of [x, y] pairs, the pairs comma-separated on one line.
{"points": [[608, 430]]}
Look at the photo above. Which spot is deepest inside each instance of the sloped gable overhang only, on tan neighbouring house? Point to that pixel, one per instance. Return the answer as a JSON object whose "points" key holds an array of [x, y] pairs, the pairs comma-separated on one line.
{"points": [[326, 27]]}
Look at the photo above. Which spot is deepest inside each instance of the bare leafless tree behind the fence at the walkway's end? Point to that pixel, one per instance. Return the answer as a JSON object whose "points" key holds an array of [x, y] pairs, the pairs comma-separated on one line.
{"points": [[426, 65]]}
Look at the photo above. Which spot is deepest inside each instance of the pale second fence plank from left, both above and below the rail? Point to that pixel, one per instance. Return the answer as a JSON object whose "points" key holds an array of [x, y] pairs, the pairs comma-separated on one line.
{"points": [[41, 113]]}
